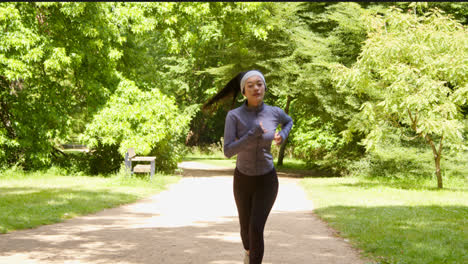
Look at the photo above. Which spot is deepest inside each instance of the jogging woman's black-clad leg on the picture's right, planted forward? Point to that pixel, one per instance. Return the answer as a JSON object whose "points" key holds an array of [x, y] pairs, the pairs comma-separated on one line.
{"points": [[262, 201]]}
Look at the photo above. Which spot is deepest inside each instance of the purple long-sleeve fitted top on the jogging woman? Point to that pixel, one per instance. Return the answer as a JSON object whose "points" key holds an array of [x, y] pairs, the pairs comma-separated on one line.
{"points": [[244, 136]]}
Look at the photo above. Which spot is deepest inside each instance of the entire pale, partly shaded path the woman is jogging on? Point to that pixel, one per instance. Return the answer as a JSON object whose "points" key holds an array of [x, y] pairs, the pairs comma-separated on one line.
{"points": [[194, 221]]}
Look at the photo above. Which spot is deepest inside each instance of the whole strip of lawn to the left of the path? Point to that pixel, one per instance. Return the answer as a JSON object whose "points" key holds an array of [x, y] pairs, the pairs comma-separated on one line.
{"points": [[29, 200]]}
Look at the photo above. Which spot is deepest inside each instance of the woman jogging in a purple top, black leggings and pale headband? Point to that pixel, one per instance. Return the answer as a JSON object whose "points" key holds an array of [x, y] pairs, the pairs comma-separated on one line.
{"points": [[248, 133]]}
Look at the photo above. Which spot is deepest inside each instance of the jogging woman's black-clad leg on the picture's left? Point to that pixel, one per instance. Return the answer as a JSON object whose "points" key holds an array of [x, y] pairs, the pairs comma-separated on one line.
{"points": [[243, 186]]}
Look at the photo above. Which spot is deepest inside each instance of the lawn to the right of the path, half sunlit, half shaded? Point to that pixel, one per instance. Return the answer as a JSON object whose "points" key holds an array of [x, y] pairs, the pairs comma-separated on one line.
{"points": [[397, 221]]}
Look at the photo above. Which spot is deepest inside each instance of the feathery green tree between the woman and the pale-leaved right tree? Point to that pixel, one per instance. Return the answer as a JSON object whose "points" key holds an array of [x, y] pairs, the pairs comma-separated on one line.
{"points": [[310, 37]]}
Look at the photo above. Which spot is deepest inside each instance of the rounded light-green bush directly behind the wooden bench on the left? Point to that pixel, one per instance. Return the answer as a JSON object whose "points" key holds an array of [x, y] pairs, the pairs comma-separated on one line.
{"points": [[150, 122]]}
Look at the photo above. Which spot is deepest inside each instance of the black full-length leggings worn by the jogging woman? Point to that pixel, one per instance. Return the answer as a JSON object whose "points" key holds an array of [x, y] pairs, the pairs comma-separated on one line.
{"points": [[255, 196]]}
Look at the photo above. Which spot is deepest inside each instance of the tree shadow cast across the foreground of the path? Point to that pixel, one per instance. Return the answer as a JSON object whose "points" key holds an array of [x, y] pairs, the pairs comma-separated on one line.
{"points": [[288, 239]]}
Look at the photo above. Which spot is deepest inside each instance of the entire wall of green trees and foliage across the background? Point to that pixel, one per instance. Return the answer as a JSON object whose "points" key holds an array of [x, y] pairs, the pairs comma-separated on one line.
{"points": [[353, 75]]}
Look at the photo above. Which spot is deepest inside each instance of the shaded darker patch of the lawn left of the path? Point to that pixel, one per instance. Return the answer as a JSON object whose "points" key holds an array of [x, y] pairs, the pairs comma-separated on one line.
{"points": [[34, 206]]}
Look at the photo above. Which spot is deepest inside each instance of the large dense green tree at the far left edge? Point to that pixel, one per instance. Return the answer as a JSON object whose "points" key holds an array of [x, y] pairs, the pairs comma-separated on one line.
{"points": [[58, 64]]}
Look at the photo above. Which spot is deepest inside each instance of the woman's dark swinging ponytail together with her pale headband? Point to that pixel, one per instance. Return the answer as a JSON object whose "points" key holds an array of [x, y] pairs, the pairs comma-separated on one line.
{"points": [[232, 88]]}
